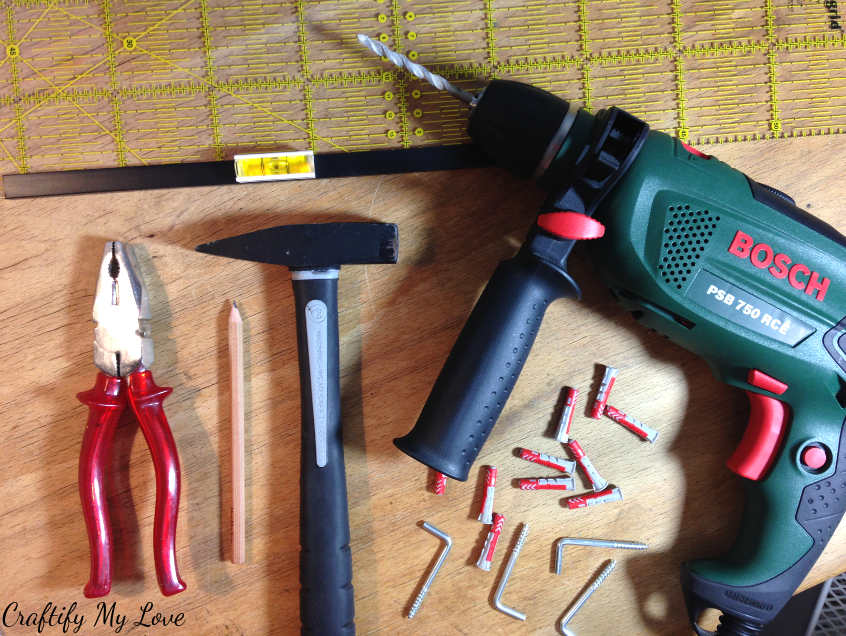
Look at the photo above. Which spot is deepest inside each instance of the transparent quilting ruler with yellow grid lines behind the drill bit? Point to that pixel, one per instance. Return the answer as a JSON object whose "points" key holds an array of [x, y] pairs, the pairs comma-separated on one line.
{"points": [[113, 83]]}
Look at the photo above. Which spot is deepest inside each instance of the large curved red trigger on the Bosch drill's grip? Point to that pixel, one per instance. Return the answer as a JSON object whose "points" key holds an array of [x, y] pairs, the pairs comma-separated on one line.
{"points": [[760, 443]]}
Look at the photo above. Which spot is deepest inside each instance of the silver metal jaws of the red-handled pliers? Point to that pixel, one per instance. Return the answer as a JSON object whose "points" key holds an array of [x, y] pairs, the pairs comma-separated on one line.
{"points": [[122, 342]]}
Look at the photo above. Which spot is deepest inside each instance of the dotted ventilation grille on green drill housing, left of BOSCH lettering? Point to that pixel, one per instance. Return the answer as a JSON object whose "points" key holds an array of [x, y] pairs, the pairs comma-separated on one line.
{"points": [[686, 234]]}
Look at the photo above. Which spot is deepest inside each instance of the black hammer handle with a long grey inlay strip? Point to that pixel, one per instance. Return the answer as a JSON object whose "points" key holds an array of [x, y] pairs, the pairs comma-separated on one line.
{"points": [[326, 595]]}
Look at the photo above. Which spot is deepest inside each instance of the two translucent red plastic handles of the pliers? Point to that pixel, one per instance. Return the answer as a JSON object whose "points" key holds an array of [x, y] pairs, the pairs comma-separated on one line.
{"points": [[106, 401]]}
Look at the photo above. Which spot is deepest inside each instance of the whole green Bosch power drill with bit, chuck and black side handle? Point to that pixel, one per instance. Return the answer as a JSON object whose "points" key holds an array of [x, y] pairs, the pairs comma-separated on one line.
{"points": [[724, 266]]}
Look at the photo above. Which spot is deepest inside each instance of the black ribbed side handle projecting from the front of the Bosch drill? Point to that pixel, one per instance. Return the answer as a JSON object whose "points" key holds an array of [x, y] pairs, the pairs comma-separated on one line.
{"points": [[484, 364]]}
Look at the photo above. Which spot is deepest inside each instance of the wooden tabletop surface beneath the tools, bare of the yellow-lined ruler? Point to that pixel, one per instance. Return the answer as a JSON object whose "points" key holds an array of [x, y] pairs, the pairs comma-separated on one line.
{"points": [[397, 324]]}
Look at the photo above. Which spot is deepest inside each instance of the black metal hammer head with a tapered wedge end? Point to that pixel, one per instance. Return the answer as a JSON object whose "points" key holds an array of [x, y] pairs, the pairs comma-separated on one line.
{"points": [[313, 245]]}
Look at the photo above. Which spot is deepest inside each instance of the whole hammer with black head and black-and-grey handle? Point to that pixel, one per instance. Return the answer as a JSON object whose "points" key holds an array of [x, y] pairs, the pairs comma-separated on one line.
{"points": [[314, 253]]}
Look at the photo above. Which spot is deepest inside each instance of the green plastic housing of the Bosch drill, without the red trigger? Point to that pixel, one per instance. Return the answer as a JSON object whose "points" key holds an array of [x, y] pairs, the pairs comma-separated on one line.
{"points": [[676, 226]]}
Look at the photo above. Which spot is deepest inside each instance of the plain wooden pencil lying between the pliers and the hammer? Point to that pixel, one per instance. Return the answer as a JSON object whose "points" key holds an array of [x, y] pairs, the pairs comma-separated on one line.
{"points": [[236, 360]]}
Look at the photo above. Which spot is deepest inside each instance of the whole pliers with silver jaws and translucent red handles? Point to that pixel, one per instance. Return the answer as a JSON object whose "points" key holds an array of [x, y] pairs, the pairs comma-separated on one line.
{"points": [[123, 351]]}
